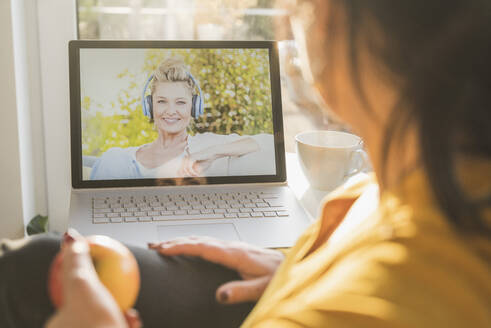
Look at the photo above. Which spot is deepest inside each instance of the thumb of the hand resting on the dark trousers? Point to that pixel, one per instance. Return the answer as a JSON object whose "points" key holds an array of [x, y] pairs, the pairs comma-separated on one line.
{"points": [[242, 290]]}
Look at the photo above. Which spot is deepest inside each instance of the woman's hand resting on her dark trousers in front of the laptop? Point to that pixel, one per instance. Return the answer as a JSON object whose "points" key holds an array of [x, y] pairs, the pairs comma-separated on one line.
{"points": [[255, 265]]}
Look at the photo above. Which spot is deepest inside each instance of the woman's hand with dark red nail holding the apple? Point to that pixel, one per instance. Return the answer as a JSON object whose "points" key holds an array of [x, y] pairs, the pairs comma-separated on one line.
{"points": [[87, 303]]}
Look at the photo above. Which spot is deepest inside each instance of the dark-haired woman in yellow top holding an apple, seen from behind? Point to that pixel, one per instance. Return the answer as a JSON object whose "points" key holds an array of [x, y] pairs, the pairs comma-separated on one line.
{"points": [[413, 79]]}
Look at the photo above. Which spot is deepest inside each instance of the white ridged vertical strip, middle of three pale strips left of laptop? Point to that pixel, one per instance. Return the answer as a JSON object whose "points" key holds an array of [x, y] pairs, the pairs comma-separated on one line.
{"points": [[29, 109]]}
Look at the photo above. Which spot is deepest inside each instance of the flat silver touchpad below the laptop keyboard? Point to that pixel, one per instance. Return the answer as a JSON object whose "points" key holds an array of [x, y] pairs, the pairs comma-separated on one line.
{"points": [[224, 231]]}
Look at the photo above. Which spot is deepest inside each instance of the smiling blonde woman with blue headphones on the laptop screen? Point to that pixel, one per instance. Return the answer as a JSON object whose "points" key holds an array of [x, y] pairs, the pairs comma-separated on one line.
{"points": [[172, 105]]}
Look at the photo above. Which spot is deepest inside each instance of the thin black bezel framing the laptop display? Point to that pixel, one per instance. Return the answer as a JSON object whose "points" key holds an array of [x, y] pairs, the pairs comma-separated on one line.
{"points": [[76, 127]]}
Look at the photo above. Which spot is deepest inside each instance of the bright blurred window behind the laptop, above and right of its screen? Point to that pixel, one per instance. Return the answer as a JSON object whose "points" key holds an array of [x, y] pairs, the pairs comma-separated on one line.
{"points": [[209, 20]]}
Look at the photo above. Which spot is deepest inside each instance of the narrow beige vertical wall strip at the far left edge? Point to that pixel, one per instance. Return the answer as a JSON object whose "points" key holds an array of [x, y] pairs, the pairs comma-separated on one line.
{"points": [[11, 219]]}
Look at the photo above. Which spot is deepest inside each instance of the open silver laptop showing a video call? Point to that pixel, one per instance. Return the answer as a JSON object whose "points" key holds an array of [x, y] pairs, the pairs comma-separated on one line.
{"points": [[180, 138]]}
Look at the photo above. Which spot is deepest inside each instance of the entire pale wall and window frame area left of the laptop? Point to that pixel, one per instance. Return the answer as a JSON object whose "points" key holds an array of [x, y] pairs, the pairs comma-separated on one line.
{"points": [[34, 123]]}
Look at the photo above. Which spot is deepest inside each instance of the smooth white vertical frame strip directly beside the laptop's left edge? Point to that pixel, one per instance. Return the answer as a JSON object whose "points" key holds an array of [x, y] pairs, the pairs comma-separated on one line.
{"points": [[55, 30]]}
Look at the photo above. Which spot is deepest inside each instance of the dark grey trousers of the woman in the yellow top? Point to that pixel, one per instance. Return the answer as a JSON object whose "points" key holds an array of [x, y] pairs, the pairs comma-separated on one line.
{"points": [[175, 291]]}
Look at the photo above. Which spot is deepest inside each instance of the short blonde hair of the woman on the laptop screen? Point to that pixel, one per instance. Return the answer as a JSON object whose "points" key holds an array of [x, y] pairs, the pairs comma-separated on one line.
{"points": [[173, 69]]}
